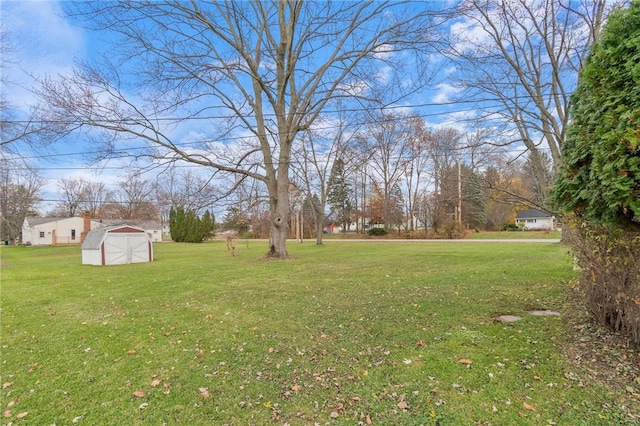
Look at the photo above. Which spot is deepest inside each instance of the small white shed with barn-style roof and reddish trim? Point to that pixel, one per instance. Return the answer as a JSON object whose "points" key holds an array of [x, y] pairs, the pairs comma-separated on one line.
{"points": [[117, 245]]}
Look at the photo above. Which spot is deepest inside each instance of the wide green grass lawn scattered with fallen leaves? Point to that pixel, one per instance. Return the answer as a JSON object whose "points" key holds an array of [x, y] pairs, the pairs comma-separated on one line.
{"points": [[343, 334]]}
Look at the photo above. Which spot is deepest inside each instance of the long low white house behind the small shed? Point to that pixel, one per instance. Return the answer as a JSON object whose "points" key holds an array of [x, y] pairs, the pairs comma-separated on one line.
{"points": [[72, 230]]}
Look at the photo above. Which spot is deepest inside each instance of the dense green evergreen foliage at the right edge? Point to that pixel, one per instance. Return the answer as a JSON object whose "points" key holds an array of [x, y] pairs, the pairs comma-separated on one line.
{"points": [[600, 178]]}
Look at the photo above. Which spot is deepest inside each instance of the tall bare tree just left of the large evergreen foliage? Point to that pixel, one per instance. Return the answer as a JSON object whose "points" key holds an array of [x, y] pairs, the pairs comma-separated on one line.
{"points": [[518, 61]]}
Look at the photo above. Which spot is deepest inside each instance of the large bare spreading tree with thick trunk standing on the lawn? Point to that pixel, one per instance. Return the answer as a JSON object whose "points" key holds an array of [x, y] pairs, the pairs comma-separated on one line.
{"points": [[269, 68]]}
